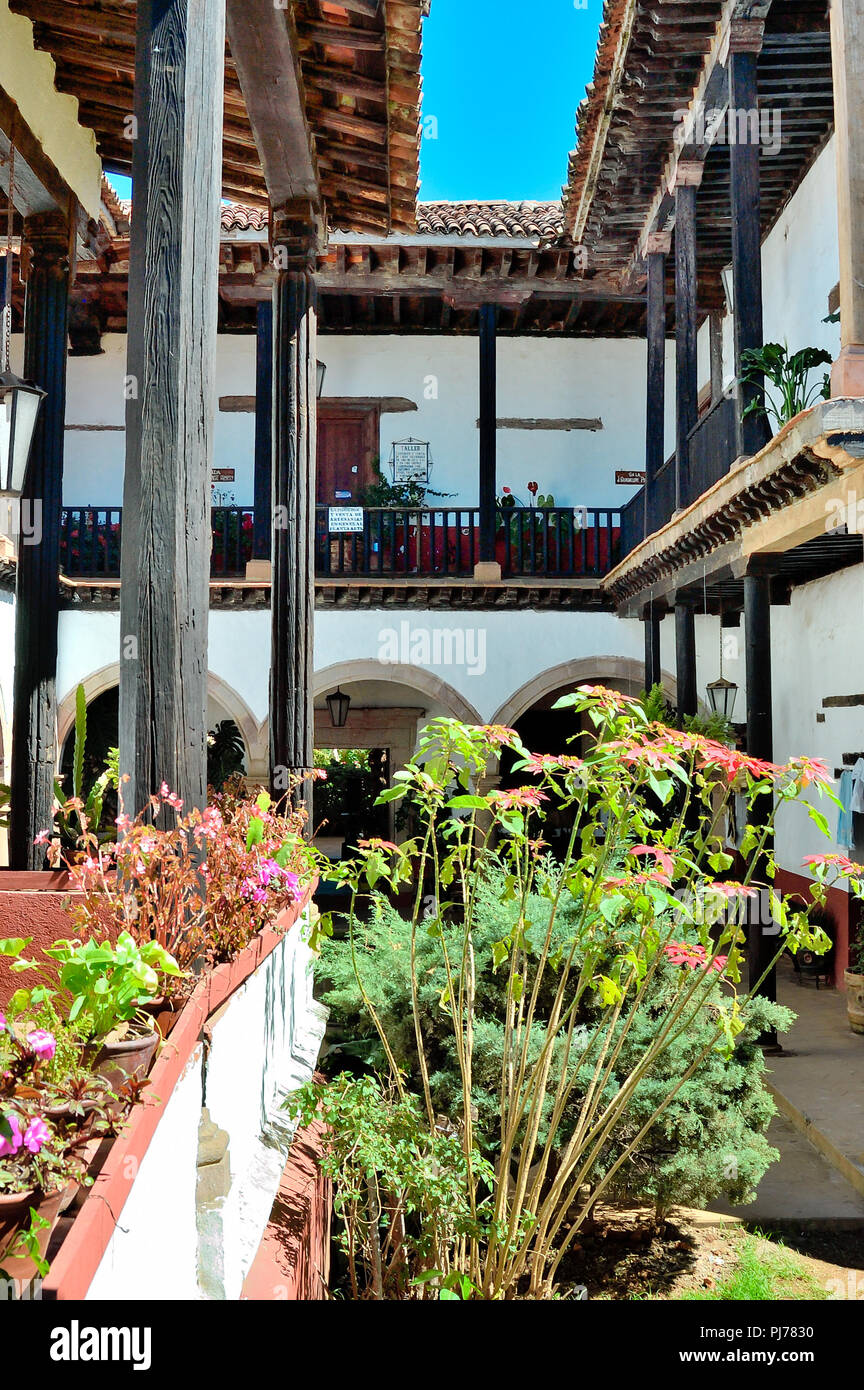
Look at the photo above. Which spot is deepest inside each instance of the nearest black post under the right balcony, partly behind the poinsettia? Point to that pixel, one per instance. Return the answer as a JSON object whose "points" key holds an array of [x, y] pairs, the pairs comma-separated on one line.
{"points": [[762, 939]]}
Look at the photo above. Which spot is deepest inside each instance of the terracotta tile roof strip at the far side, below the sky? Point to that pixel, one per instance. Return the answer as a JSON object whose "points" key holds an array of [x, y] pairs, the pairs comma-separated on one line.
{"points": [[494, 219]]}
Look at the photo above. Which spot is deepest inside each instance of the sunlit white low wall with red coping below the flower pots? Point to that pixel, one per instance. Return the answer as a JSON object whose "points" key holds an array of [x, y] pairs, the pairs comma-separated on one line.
{"points": [[265, 1046]]}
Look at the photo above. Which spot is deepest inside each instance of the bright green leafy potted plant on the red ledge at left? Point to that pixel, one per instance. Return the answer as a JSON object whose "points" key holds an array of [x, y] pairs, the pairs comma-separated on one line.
{"points": [[103, 986]]}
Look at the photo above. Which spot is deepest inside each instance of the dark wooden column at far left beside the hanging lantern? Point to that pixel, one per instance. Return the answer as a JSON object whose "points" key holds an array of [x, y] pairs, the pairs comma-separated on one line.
{"points": [[38, 582]]}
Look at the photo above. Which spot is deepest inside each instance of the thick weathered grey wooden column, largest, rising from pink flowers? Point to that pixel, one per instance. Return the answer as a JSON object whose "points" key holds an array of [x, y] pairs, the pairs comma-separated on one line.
{"points": [[172, 408]]}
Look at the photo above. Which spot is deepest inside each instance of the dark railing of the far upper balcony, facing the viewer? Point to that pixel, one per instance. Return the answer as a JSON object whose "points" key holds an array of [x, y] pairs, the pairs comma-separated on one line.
{"points": [[394, 543]]}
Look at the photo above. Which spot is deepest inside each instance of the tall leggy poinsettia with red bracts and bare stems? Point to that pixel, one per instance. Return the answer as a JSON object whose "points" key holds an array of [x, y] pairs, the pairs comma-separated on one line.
{"points": [[612, 939]]}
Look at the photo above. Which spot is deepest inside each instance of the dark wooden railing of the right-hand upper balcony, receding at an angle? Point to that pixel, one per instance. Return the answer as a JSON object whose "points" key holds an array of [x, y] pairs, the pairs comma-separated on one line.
{"points": [[713, 448]]}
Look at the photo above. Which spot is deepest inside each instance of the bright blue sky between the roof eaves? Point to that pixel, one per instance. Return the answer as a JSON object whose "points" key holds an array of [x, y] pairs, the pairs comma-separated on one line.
{"points": [[502, 84]]}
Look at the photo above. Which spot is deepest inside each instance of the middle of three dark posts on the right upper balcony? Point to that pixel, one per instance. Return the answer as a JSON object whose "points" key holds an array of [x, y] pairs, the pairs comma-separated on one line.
{"points": [[687, 379]]}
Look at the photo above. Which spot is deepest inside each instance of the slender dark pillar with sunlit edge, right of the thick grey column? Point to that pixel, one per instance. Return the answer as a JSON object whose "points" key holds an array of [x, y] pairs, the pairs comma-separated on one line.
{"points": [[292, 719]]}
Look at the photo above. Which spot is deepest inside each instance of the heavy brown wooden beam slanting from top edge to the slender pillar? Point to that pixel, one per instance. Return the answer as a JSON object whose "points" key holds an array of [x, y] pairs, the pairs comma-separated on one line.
{"points": [[265, 49]]}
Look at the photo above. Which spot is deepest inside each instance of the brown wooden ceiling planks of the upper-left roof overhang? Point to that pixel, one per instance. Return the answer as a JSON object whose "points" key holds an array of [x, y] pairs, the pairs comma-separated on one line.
{"points": [[360, 66]]}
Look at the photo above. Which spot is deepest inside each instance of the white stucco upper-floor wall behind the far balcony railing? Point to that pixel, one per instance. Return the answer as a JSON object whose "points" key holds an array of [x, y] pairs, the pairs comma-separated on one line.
{"points": [[538, 379]]}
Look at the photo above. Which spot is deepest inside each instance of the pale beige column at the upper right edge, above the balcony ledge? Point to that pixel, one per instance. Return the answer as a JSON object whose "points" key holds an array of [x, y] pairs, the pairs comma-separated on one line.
{"points": [[848, 62]]}
